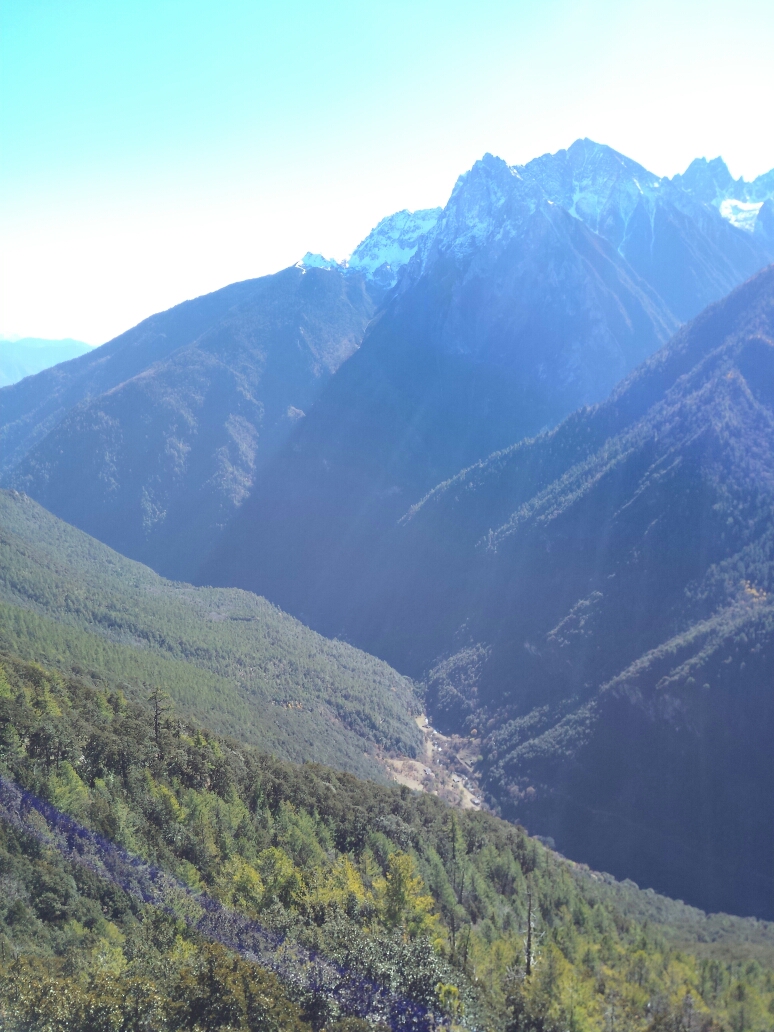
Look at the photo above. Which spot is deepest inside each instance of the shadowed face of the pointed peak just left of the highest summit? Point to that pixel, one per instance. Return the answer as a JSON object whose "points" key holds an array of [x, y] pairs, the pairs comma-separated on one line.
{"points": [[511, 314]]}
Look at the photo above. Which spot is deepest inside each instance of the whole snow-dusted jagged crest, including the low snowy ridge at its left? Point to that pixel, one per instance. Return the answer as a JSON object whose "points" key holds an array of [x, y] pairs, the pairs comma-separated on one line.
{"points": [[615, 197]]}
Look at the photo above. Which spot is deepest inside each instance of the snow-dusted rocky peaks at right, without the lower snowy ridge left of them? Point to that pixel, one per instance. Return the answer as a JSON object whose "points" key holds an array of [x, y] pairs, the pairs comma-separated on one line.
{"points": [[659, 227]]}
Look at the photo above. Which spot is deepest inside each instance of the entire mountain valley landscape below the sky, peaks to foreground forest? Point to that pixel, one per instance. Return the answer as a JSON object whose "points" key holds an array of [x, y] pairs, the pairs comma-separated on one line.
{"points": [[407, 623]]}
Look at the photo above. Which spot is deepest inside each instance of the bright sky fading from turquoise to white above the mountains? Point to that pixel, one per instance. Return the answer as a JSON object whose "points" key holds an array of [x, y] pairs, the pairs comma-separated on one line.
{"points": [[155, 151]]}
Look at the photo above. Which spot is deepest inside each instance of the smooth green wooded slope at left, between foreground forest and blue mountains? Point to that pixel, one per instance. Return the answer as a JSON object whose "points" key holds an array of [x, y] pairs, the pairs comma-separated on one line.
{"points": [[225, 656]]}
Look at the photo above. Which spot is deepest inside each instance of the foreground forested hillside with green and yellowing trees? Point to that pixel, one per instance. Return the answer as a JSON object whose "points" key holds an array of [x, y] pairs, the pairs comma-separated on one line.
{"points": [[456, 912]]}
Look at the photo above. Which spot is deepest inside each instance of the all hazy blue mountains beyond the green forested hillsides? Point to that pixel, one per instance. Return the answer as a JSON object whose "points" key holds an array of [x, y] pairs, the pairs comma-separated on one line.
{"points": [[413, 451]]}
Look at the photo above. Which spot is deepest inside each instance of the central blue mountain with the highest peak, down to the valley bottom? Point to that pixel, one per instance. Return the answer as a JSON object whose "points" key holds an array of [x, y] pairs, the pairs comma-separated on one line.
{"points": [[536, 292]]}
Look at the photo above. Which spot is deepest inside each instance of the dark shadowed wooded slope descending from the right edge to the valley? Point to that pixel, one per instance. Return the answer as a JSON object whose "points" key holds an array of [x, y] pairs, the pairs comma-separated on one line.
{"points": [[598, 602]]}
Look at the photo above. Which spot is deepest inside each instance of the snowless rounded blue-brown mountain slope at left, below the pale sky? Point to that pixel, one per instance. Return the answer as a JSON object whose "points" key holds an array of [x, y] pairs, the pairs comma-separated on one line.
{"points": [[159, 435]]}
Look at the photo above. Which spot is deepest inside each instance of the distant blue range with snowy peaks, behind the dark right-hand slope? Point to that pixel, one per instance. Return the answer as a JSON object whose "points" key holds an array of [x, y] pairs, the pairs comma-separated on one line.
{"points": [[534, 292]]}
